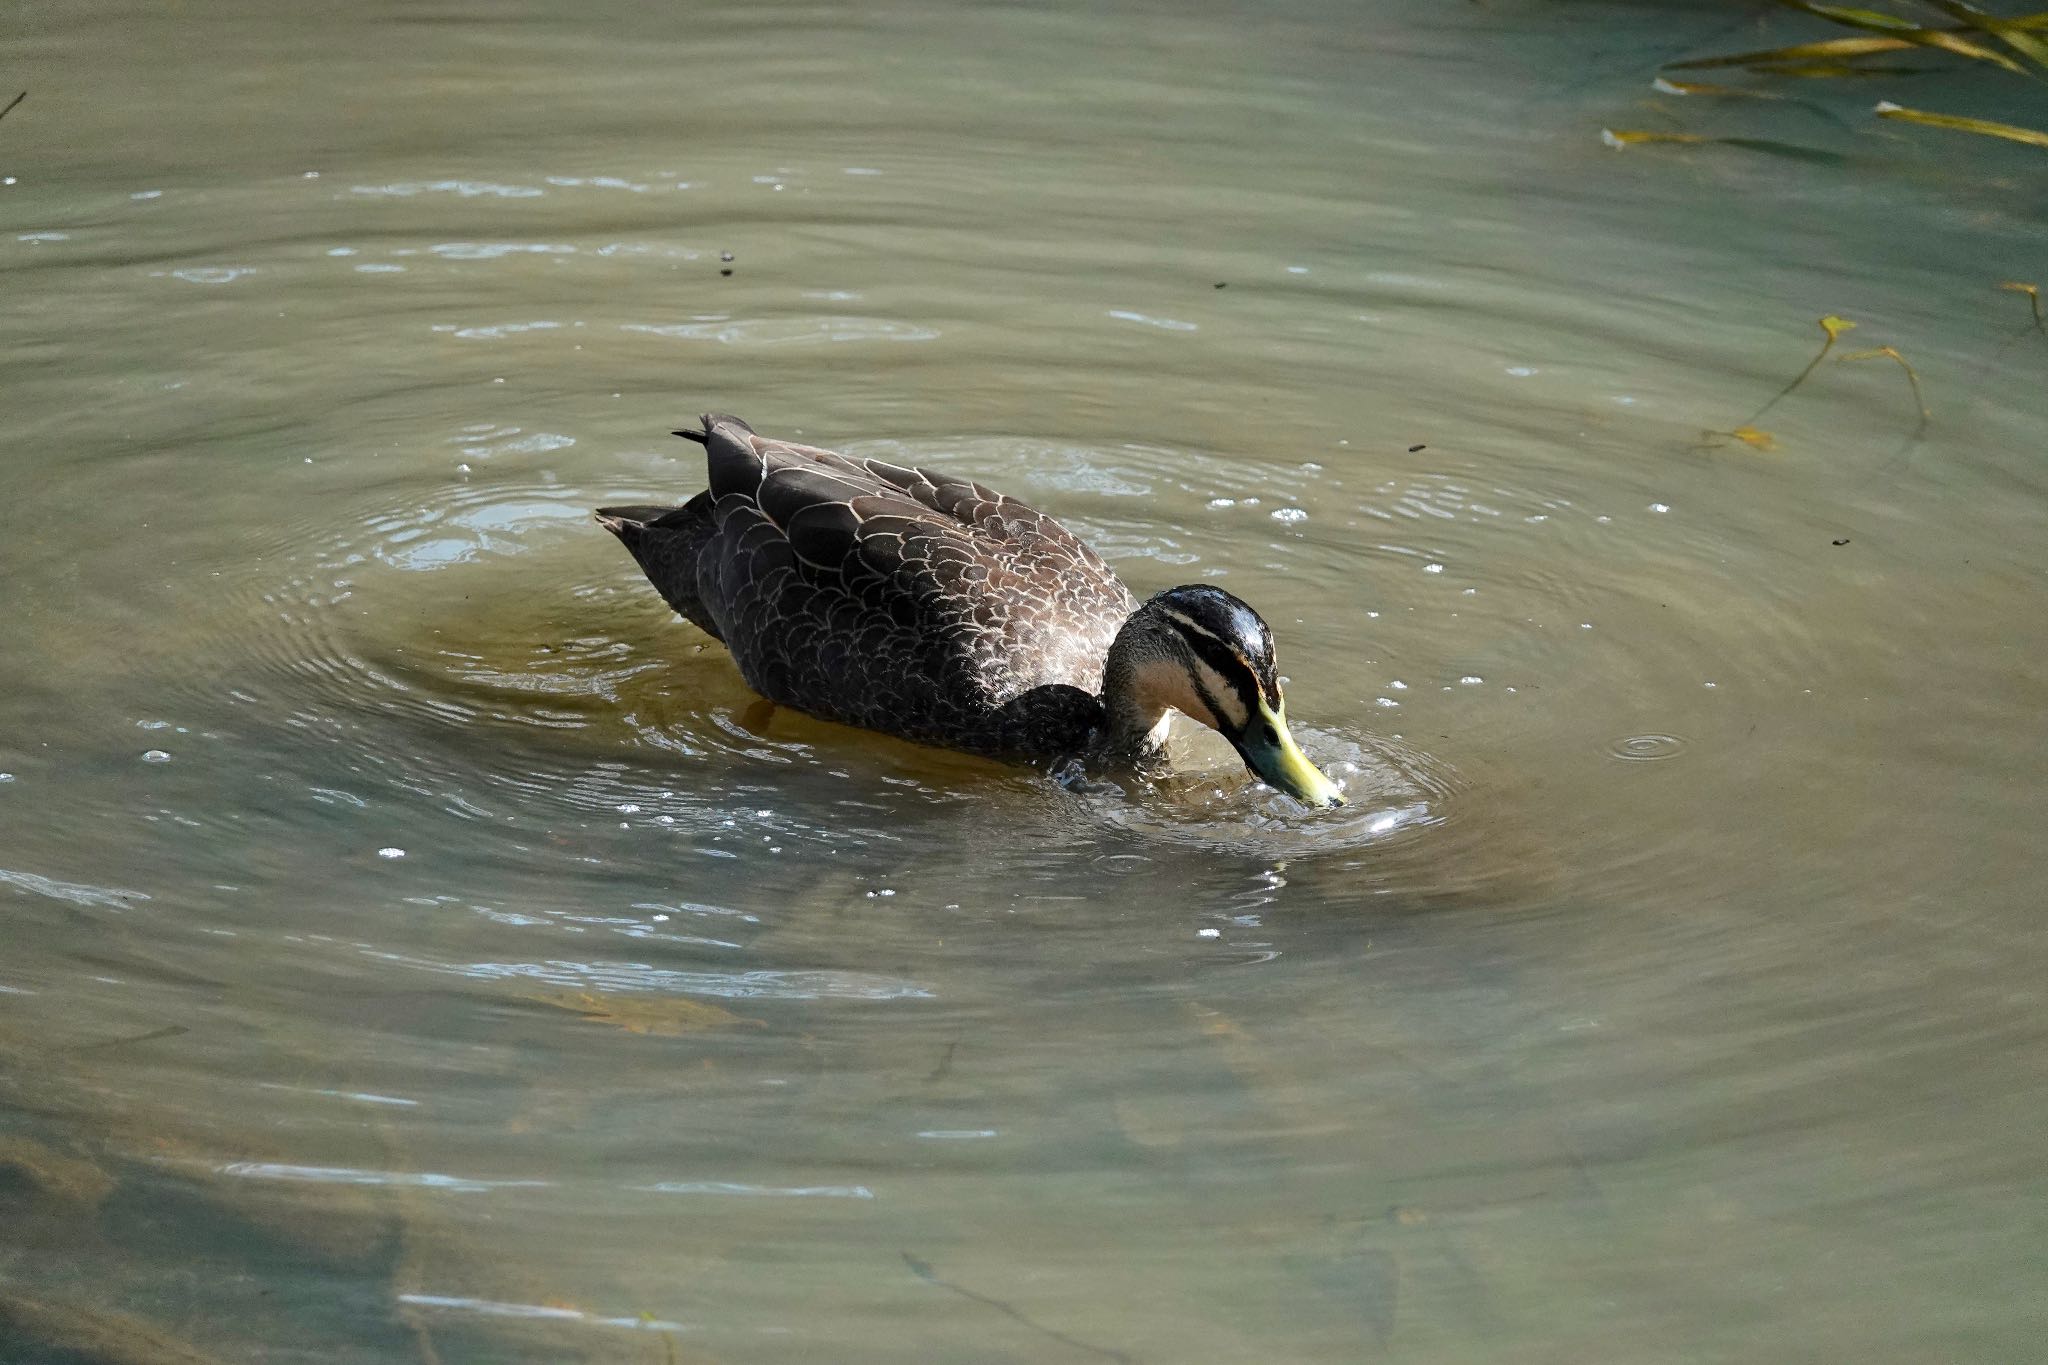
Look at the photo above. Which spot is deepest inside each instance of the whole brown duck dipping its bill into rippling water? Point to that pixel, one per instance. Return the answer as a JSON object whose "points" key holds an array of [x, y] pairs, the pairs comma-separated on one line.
{"points": [[933, 609]]}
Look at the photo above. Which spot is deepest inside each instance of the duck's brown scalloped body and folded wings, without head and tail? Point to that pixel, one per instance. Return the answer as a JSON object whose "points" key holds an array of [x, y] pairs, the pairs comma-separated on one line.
{"points": [[898, 599]]}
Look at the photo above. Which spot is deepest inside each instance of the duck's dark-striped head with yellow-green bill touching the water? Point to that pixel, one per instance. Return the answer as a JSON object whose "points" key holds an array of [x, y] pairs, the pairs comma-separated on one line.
{"points": [[1209, 656]]}
